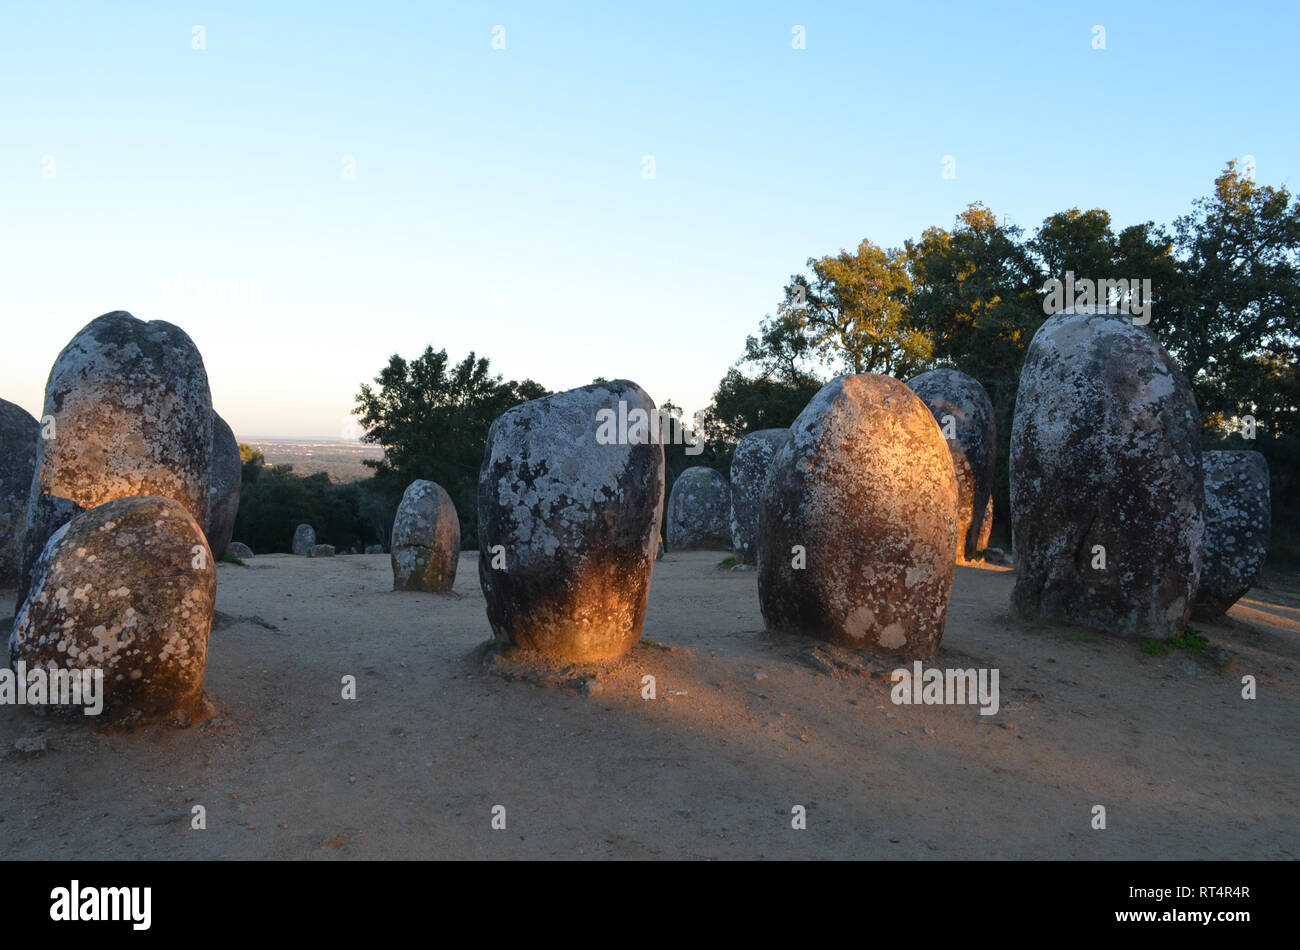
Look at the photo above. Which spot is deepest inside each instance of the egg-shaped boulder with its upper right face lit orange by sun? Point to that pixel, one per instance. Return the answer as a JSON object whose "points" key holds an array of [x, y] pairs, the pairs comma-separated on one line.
{"points": [[859, 522]]}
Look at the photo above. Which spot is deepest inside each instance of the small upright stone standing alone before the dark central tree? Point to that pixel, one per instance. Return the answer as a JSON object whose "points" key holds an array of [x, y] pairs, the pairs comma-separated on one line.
{"points": [[426, 539]]}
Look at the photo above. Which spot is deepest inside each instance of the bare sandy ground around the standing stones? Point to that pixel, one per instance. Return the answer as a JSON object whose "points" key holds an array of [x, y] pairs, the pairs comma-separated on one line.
{"points": [[744, 727]]}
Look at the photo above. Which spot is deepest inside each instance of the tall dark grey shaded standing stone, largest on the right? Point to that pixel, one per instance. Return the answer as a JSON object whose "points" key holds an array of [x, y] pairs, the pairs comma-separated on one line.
{"points": [[1107, 491]]}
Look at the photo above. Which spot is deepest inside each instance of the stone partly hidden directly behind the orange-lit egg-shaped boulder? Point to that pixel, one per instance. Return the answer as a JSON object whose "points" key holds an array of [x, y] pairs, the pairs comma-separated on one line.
{"points": [[965, 417]]}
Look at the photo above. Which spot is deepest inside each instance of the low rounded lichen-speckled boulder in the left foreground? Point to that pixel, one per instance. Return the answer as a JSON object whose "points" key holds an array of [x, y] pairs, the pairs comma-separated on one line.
{"points": [[127, 588]]}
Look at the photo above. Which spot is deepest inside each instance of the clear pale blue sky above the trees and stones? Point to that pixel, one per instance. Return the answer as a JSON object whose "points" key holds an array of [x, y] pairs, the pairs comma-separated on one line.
{"points": [[499, 202]]}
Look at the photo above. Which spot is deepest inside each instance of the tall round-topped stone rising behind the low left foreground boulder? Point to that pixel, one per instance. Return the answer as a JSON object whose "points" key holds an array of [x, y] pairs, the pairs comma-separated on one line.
{"points": [[132, 417]]}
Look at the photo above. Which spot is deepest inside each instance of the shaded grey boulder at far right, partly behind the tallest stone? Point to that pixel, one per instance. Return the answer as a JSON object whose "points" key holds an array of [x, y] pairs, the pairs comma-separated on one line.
{"points": [[1238, 526]]}
